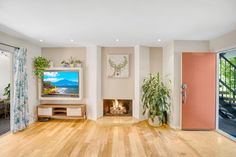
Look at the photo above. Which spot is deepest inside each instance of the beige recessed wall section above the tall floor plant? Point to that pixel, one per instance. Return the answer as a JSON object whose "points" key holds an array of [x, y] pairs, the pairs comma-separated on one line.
{"points": [[156, 59]]}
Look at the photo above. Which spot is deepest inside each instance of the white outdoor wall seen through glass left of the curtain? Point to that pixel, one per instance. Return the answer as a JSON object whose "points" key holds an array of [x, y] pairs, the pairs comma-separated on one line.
{"points": [[5, 73]]}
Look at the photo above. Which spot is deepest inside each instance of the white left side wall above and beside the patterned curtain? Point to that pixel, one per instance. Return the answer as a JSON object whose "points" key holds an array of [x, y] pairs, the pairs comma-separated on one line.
{"points": [[32, 51]]}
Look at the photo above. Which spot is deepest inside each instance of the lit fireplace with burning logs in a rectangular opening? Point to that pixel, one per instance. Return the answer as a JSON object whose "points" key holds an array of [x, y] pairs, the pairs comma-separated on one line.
{"points": [[117, 107]]}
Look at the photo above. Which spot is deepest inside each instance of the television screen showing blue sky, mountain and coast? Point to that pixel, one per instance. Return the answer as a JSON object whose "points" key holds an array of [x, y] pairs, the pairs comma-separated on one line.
{"points": [[61, 83]]}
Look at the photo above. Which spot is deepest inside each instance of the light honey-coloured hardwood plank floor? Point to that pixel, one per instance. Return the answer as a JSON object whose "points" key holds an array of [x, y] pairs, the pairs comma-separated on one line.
{"points": [[84, 138]]}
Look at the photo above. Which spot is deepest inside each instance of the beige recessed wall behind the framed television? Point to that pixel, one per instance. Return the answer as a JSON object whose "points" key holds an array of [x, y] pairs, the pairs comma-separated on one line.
{"points": [[56, 55]]}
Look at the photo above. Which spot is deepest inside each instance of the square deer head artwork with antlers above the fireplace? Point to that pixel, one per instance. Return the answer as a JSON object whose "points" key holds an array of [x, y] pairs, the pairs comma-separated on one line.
{"points": [[118, 66]]}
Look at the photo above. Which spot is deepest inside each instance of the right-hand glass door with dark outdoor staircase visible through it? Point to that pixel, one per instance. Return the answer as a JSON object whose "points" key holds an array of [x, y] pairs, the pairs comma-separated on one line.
{"points": [[227, 93]]}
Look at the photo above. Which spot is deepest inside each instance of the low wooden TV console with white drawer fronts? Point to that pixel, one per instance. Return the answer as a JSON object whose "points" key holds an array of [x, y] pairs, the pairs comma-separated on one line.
{"points": [[62, 111]]}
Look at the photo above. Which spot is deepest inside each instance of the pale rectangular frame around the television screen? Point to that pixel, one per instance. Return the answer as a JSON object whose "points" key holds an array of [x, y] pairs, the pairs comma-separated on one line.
{"points": [[63, 98]]}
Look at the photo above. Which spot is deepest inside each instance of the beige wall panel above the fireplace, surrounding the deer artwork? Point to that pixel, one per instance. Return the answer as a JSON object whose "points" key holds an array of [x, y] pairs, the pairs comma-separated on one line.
{"points": [[117, 87]]}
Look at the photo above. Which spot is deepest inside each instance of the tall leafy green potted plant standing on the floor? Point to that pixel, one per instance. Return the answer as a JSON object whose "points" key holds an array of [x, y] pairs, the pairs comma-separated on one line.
{"points": [[156, 100]]}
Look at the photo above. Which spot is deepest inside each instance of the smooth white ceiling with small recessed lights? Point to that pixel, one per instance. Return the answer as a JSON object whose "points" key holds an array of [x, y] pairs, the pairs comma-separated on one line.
{"points": [[101, 22]]}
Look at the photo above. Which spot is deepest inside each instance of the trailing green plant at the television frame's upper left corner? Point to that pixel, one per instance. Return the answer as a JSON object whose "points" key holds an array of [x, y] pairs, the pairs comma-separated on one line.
{"points": [[40, 64]]}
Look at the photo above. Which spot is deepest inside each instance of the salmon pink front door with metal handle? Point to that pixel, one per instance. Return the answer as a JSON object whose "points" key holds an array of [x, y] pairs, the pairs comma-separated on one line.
{"points": [[199, 91]]}
